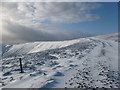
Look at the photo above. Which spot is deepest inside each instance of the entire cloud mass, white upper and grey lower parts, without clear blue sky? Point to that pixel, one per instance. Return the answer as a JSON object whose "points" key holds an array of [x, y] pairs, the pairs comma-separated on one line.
{"points": [[25, 22]]}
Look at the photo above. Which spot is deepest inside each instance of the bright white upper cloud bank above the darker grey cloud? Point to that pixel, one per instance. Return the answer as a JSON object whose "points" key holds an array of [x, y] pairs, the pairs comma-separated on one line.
{"points": [[51, 11]]}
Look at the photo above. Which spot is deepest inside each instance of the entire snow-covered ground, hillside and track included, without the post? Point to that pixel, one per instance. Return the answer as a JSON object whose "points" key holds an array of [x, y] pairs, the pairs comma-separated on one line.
{"points": [[81, 63]]}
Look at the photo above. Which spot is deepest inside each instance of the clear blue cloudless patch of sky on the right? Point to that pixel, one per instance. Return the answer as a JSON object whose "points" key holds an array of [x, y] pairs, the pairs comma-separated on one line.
{"points": [[107, 22]]}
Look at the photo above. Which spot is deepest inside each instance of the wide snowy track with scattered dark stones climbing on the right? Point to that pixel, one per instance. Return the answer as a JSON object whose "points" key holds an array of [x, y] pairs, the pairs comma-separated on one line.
{"points": [[96, 70]]}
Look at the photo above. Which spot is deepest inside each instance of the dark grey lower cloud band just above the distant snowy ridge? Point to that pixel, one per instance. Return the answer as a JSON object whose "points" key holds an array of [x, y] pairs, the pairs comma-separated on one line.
{"points": [[22, 34]]}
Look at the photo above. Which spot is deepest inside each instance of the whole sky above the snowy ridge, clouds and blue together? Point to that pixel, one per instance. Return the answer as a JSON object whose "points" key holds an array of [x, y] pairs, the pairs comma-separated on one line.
{"points": [[53, 21]]}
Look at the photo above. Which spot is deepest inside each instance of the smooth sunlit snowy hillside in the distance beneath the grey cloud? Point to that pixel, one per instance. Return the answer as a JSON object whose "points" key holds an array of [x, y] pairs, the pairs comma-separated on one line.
{"points": [[34, 47]]}
